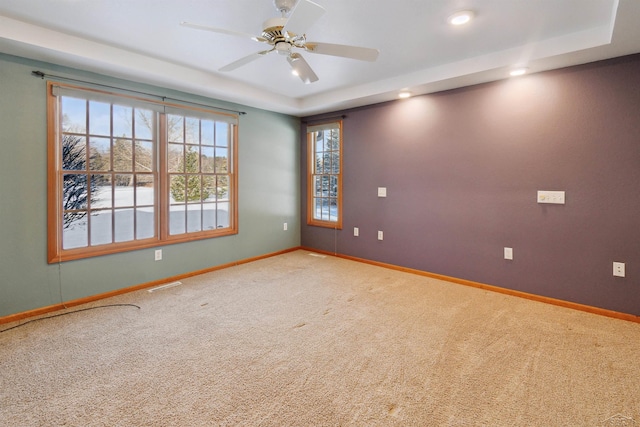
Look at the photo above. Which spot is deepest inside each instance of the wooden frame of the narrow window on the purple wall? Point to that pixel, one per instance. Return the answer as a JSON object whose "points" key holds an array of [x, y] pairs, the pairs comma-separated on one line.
{"points": [[311, 175]]}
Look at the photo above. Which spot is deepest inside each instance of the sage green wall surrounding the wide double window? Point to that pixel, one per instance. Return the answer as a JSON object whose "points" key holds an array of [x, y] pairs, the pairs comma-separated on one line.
{"points": [[268, 189]]}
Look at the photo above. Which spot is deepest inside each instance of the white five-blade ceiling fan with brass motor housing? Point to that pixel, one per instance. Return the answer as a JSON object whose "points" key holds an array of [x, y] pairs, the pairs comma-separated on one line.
{"points": [[285, 34]]}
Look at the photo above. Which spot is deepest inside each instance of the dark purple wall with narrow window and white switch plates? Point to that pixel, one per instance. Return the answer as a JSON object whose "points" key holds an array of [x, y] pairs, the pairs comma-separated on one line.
{"points": [[462, 169]]}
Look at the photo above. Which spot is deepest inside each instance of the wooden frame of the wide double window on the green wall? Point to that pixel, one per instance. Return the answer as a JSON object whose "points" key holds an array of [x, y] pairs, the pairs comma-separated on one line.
{"points": [[55, 173]]}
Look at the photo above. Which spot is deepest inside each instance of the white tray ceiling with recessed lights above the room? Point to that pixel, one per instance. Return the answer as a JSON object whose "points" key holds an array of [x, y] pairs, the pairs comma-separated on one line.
{"points": [[142, 40]]}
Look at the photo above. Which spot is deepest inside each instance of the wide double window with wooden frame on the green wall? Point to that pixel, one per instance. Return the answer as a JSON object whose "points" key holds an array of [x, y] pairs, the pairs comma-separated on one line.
{"points": [[127, 173]]}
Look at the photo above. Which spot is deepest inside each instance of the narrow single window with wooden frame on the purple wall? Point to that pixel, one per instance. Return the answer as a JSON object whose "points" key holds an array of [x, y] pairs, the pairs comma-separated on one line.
{"points": [[324, 179]]}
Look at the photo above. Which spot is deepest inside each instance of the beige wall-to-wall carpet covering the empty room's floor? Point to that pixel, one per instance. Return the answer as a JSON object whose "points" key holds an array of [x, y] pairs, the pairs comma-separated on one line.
{"points": [[301, 340]]}
